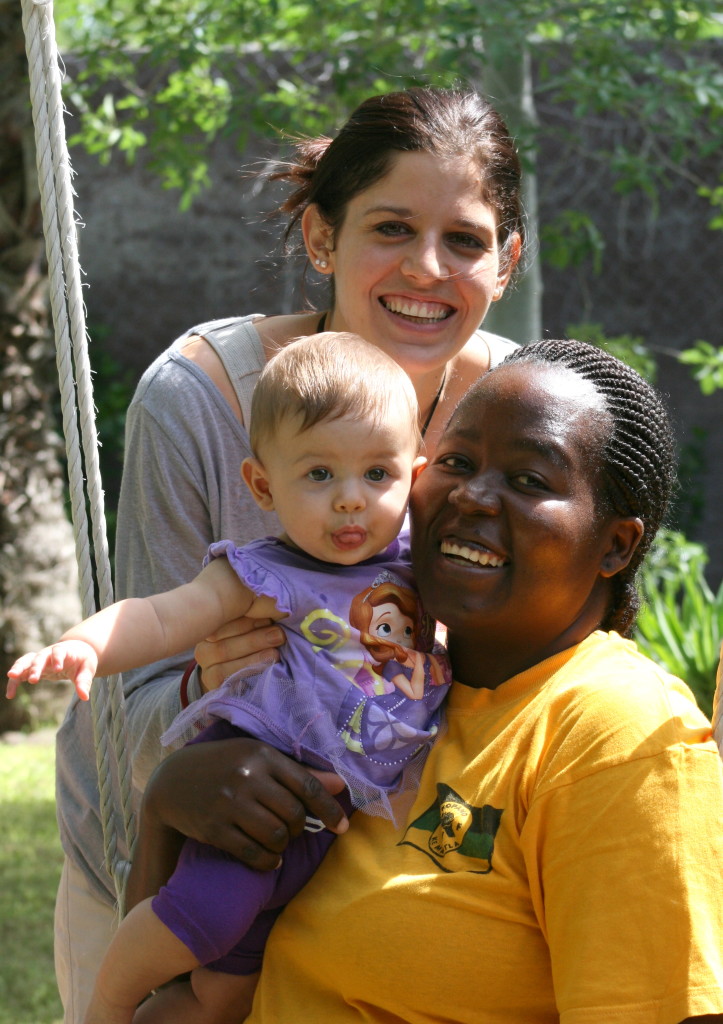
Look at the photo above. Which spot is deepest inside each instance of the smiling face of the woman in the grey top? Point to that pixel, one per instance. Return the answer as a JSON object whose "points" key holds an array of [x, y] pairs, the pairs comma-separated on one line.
{"points": [[416, 262]]}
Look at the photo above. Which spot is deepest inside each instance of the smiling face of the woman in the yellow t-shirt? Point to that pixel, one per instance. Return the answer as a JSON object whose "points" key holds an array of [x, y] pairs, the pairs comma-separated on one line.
{"points": [[509, 547]]}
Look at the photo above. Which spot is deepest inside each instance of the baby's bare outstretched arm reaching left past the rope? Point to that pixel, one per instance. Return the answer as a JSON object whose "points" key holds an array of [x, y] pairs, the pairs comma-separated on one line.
{"points": [[140, 631]]}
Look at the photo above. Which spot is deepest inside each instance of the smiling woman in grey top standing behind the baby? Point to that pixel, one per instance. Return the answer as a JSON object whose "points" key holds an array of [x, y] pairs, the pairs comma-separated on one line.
{"points": [[413, 212]]}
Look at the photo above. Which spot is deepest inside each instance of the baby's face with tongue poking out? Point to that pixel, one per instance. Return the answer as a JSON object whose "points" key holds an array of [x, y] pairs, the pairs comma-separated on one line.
{"points": [[342, 488]]}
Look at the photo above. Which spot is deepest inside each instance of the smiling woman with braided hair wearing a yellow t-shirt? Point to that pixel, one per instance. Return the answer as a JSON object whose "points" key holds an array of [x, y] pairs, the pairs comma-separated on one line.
{"points": [[563, 859]]}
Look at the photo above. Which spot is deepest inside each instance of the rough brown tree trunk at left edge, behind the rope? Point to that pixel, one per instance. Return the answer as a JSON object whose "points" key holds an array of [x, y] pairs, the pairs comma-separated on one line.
{"points": [[38, 576]]}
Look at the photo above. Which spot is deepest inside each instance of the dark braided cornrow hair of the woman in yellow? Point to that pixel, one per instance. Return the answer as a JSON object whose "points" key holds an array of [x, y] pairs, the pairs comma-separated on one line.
{"points": [[637, 458]]}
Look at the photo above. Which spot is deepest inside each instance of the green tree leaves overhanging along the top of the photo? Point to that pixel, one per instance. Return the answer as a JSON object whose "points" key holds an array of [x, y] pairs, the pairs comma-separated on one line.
{"points": [[174, 74]]}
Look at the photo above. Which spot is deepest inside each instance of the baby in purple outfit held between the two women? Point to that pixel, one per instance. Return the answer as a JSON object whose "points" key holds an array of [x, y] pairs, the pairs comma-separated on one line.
{"points": [[359, 688]]}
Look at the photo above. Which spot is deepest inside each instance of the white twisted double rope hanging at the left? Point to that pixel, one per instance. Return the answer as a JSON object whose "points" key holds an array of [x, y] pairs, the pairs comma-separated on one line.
{"points": [[77, 405]]}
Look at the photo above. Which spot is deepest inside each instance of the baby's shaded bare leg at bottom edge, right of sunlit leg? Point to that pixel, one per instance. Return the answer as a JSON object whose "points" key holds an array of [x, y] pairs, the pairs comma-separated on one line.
{"points": [[210, 998]]}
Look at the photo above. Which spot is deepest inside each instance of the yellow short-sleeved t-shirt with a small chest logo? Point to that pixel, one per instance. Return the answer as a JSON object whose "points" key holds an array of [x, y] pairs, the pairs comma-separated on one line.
{"points": [[563, 862]]}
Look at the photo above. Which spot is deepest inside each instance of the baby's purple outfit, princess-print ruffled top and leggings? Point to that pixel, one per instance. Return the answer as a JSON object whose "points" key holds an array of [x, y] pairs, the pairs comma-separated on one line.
{"points": [[358, 691]]}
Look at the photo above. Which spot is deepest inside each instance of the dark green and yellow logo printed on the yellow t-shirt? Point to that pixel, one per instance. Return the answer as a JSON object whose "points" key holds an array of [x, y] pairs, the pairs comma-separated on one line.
{"points": [[455, 835]]}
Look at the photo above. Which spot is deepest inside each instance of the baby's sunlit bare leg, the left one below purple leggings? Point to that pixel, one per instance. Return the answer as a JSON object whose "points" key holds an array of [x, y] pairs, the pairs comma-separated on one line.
{"points": [[144, 955]]}
